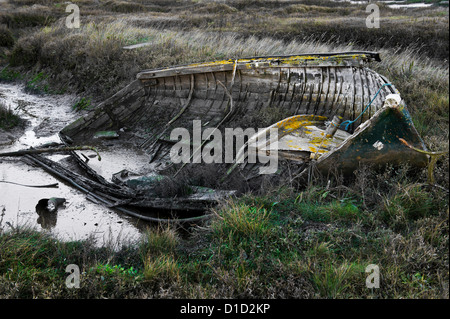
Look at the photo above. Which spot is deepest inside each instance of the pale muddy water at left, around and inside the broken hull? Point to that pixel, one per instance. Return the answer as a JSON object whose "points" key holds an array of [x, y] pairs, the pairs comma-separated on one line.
{"points": [[78, 218]]}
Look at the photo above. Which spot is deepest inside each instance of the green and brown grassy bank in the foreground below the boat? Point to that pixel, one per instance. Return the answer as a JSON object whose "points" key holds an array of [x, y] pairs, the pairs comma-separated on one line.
{"points": [[314, 243]]}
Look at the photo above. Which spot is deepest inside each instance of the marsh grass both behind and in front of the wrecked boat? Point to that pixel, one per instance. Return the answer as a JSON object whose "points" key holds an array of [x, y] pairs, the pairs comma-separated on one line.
{"points": [[292, 241]]}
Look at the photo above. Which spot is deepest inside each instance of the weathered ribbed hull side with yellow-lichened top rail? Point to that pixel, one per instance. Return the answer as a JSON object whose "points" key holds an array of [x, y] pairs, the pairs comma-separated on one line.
{"points": [[163, 99]]}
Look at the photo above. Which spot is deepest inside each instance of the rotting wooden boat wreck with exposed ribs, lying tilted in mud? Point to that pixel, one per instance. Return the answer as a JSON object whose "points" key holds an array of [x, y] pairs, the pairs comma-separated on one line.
{"points": [[310, 91]]}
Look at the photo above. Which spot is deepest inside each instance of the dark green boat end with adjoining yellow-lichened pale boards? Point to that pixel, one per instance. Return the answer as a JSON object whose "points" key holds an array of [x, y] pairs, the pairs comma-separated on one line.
{"points": [[323, 144]]}
